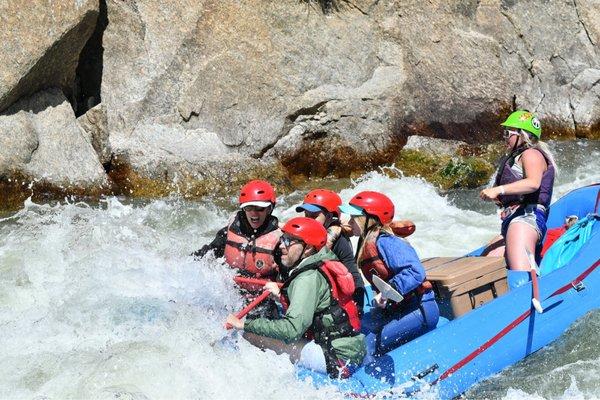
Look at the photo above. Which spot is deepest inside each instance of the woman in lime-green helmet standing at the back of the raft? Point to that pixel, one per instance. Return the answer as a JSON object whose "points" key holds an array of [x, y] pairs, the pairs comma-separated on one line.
{"points": [[523, 187]]}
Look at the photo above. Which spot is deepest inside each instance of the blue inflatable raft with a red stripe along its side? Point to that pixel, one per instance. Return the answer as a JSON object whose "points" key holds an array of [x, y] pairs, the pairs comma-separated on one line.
{"points": [[456, 355]]}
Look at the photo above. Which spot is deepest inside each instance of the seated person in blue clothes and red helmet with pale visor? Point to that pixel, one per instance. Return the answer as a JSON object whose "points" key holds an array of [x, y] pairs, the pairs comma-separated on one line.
{"points": [[384, 257]]}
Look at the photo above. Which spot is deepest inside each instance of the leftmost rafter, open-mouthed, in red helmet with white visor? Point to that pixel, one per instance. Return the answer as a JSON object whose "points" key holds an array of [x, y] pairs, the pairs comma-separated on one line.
{"points": [[249, 241]]}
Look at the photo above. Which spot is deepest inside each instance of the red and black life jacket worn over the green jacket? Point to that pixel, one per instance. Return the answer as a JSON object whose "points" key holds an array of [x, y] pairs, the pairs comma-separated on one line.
{"points": [[343, 309]]}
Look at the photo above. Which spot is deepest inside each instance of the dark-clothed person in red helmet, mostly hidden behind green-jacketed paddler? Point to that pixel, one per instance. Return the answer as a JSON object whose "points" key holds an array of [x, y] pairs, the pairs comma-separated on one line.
{"points": [[322, 205]]}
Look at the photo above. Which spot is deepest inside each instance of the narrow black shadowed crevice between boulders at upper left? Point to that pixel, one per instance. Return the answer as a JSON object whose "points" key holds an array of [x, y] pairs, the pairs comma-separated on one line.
{"points": [[88, 76]]}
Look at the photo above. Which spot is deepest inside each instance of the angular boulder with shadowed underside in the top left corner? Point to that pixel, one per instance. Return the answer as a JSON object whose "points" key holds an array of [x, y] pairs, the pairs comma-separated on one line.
{"points": [[40, 43]]}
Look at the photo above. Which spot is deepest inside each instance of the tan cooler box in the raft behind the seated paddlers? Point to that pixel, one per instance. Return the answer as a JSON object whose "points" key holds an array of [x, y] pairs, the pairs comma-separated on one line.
{"points": [[465, 283]]}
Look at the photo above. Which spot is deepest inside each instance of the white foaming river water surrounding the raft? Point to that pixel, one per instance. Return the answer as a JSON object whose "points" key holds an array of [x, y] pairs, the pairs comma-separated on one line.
{"points": [[102, 301]]}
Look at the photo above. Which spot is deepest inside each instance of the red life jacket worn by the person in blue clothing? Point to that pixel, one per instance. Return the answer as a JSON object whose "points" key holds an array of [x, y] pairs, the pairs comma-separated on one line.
{"points": [[371, 263]]}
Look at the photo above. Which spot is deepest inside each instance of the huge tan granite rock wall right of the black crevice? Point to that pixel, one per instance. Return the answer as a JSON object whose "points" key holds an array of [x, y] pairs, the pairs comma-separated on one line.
{"points": [[282, 81]]}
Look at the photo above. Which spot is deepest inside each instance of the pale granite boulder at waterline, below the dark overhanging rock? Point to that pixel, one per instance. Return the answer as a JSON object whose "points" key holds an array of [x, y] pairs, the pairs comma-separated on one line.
{"points": [[40, 140]]}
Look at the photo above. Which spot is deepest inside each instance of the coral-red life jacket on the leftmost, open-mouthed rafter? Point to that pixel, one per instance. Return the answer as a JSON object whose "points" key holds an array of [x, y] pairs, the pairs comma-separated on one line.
{"points": [[252, 256]]}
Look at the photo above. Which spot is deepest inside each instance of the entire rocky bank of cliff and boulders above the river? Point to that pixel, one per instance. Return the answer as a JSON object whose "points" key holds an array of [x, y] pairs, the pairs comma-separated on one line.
{"points": [[193, 91]]}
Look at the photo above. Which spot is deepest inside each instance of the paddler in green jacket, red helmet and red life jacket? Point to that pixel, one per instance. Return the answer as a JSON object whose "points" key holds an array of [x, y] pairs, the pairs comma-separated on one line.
{"points": [[317, 295]]}
